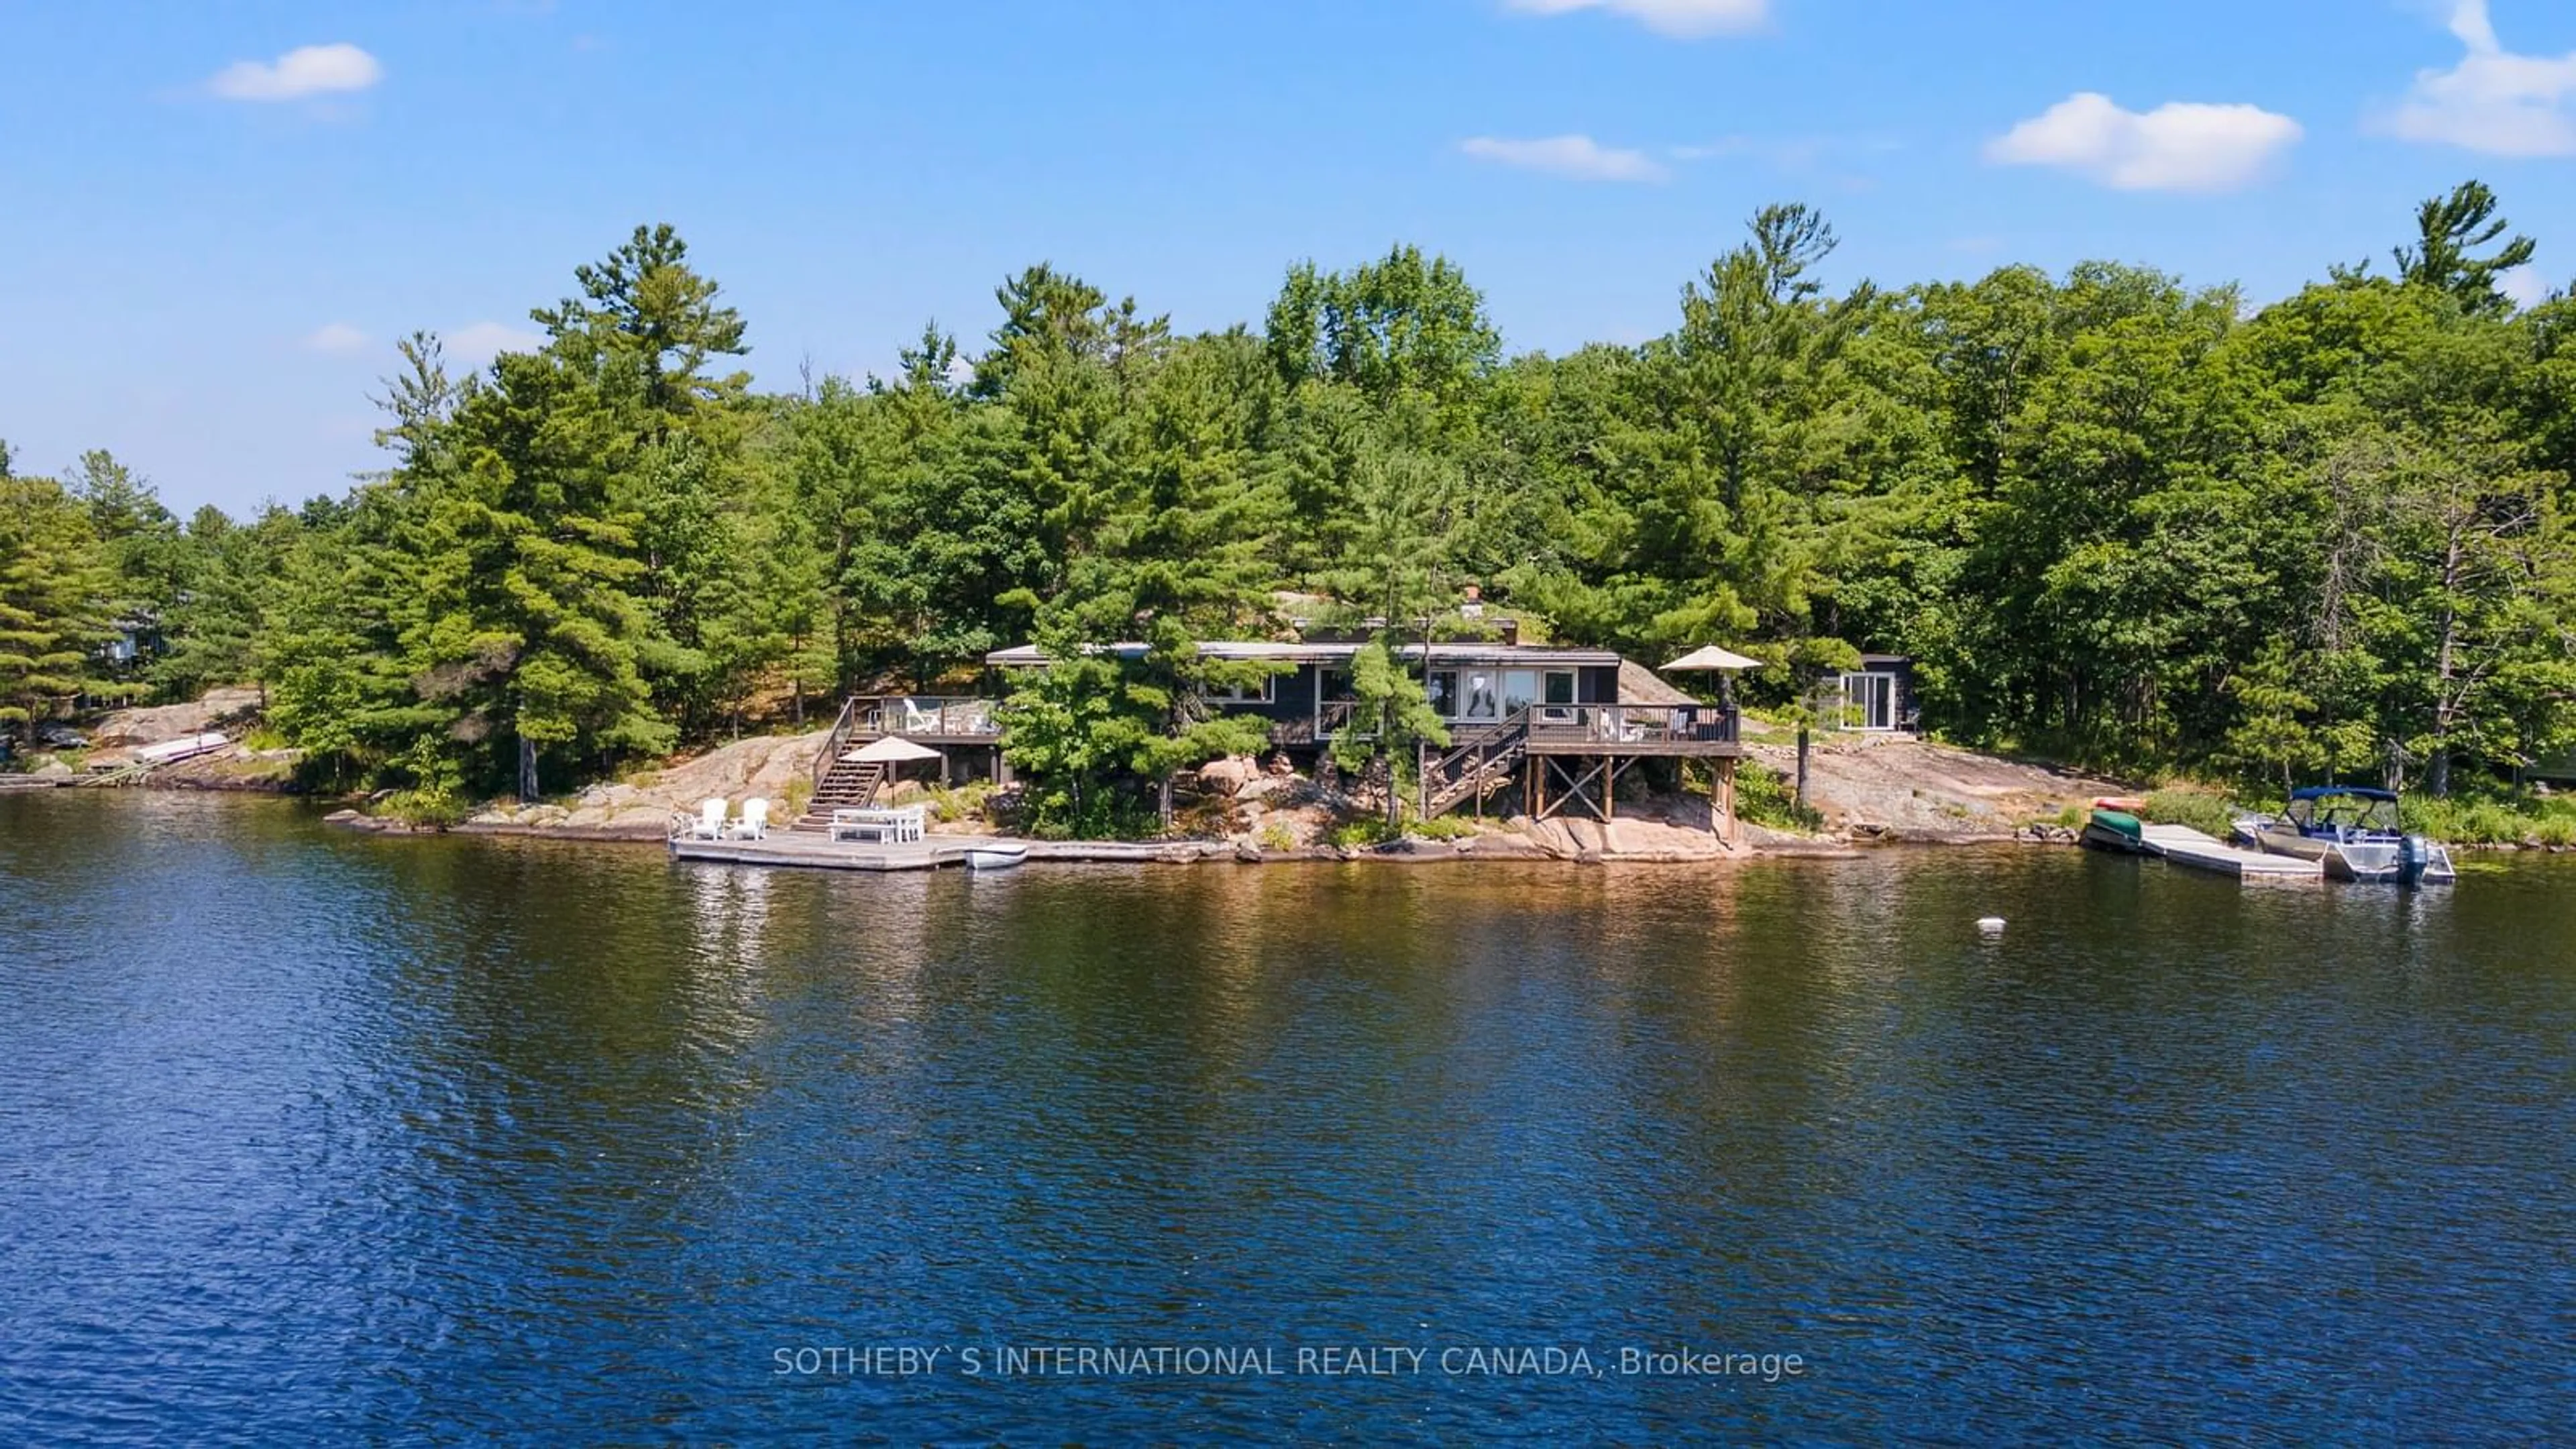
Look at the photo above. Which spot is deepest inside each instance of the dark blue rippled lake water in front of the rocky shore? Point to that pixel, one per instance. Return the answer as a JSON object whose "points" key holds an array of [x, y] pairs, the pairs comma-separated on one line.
{"points": [[313, 1136]]}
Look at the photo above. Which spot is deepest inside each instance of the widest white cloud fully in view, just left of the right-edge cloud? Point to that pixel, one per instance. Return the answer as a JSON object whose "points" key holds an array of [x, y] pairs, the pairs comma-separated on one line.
{"points": [[2173, 148]]}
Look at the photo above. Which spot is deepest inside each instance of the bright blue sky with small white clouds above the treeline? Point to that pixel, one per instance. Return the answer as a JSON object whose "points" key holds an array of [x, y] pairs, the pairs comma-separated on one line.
{"points": [[223, 215]]}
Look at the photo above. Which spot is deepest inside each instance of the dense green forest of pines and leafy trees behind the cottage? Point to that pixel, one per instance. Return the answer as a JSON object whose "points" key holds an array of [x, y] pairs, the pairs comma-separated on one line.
{"points": [[2114, 517]]}
